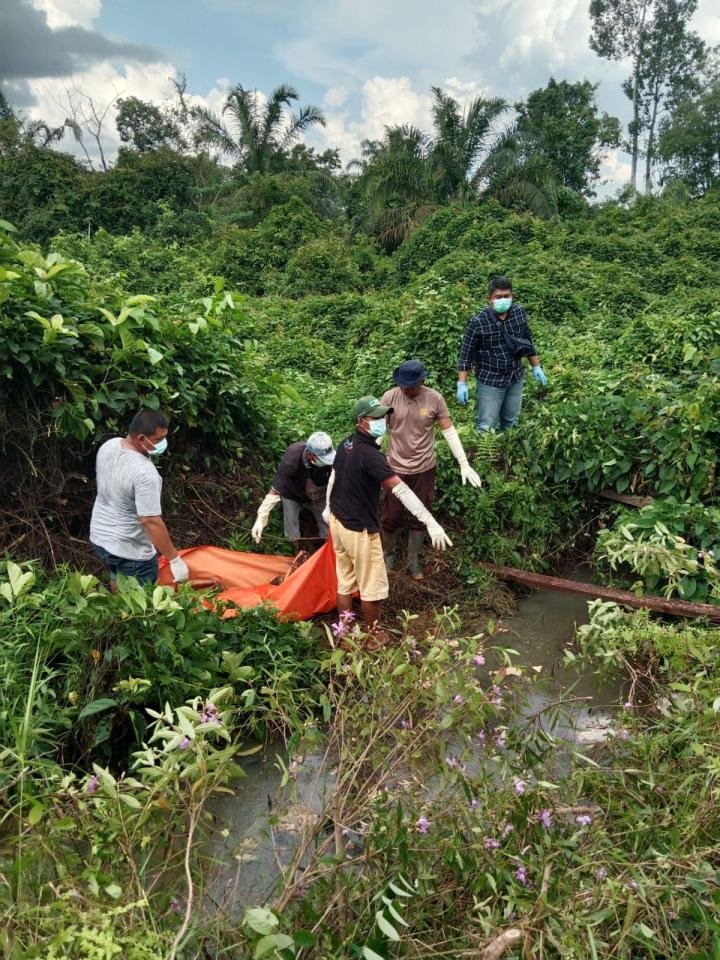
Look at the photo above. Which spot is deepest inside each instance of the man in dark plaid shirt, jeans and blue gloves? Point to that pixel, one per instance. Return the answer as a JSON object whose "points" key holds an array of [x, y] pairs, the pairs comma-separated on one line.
{"points": [[498, 369]]}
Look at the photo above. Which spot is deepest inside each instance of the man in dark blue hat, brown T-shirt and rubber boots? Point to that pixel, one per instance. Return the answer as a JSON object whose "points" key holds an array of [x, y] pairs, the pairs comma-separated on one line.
{"points": [[415, 411]]}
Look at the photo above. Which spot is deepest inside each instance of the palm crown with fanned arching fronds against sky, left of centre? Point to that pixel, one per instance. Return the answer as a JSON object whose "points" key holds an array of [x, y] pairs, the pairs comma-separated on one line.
{"points": [[258, 133]]}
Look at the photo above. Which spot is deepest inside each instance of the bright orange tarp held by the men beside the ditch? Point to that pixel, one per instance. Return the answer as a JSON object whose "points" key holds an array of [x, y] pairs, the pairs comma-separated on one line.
{"points": [[245, 578]]}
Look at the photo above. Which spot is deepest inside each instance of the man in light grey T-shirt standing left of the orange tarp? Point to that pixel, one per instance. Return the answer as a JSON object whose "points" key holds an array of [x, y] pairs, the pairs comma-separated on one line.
{"points": [[127, 531]]}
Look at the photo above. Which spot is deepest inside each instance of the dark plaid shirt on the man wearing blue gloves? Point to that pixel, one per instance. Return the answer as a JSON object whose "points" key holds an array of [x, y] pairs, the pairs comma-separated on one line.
{"points": [[484, 349]]}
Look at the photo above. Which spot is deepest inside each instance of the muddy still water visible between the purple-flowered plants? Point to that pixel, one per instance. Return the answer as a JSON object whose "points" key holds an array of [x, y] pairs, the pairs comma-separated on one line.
{"points": [[244, 838]]}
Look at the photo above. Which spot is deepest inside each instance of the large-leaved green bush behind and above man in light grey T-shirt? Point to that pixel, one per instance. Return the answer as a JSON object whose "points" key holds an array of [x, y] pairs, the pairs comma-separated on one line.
{"points": [[63, 334]]}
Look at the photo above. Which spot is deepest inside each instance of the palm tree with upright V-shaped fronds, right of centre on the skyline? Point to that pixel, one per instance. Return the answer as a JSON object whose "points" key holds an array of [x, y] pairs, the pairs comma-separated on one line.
{"points": [[461, 139]]}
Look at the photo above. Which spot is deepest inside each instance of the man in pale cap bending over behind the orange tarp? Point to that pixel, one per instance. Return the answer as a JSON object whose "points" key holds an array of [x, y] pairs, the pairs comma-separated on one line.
{"points": [[301, 480]]}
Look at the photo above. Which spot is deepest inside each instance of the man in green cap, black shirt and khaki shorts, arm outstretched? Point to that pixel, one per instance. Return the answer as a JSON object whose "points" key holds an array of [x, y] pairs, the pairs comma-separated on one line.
{"points": [[360, 470]]}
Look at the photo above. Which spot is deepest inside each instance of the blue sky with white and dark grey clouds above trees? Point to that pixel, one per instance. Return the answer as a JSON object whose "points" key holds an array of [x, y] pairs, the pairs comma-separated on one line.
{"points": [[366, 63]]}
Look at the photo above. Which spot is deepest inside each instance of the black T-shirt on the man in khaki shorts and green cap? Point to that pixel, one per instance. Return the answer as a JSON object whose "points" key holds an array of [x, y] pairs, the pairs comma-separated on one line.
{"points": [[360, 468]]}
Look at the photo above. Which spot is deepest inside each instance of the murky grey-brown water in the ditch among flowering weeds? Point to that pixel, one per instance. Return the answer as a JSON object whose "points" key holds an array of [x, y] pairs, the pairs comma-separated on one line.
{"points": [[258, 828]]}
